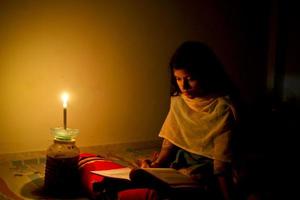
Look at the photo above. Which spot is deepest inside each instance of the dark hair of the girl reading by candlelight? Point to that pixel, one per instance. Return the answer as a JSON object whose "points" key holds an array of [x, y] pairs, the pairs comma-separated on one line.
{"points": [[203, 65]]}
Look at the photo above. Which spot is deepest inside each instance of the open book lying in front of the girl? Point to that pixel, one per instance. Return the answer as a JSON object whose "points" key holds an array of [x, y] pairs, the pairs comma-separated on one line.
{"points": [[151, 176]]}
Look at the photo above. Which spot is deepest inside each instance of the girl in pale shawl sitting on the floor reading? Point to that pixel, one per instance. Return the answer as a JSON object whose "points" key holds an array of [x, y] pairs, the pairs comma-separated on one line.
{"points": [[197, 132]]}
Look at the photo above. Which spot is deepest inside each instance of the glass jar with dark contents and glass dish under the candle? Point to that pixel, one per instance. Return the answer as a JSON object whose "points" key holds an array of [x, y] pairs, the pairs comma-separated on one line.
{"points": [[61, 173]]}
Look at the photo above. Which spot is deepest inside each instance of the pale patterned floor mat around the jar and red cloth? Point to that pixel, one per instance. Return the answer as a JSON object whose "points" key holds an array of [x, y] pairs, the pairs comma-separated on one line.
{"points": [[22, 174]]}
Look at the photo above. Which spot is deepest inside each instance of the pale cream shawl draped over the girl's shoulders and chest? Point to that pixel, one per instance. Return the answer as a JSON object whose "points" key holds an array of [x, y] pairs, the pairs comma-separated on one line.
{"points": [[201, 125]]}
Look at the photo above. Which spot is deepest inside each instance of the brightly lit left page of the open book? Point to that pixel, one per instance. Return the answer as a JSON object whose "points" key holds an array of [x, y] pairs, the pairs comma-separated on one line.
{"points": [[120, 173]]}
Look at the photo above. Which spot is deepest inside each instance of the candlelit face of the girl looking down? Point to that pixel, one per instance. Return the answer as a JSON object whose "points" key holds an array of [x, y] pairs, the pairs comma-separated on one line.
{"points": [[188, 86]]}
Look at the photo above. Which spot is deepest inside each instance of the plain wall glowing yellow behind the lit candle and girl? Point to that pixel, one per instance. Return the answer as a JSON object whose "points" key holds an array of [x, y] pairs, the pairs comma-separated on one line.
{"points": [[111, 56]]}
